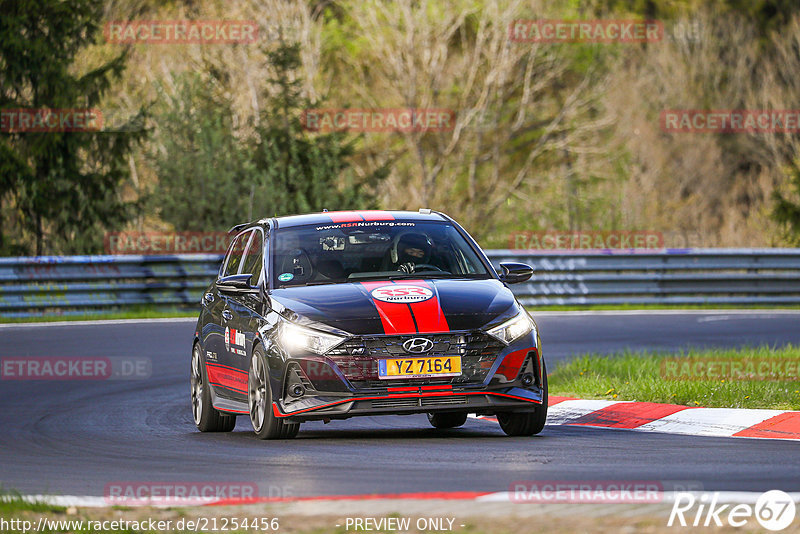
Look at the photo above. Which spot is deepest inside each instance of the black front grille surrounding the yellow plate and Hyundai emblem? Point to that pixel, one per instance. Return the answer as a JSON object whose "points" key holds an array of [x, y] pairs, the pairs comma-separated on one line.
{"points": [[357, 358]]}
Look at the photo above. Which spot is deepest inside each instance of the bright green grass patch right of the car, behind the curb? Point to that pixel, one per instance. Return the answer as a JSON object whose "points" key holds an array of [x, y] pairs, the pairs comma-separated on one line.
{"points": [[651, 377]]}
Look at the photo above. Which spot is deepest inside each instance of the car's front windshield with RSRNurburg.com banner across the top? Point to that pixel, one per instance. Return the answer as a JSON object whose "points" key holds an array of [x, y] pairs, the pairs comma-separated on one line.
{"points": [[337, 253]]}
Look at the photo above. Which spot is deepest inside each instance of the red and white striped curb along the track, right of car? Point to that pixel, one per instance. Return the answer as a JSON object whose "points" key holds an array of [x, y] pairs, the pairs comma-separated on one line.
{"points": [[674, 418]]}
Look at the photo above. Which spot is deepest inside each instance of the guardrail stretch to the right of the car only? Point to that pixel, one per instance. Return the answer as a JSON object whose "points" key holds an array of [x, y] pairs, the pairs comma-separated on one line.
{"points": [[674, 276]]}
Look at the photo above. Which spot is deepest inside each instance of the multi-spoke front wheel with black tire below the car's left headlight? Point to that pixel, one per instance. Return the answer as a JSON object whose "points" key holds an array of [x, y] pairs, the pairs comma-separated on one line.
{"points": [[259, 401]]}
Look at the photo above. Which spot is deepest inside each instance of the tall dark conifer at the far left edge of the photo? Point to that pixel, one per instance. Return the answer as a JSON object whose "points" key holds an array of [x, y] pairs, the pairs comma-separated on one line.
{"points": [[60, 188]]}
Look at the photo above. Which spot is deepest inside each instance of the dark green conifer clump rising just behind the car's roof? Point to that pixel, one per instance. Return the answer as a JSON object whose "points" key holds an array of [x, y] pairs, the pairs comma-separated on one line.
{"points": [[210, 178]]}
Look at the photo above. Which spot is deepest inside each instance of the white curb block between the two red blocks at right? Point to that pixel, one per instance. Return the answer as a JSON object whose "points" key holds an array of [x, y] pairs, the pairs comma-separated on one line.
{"points": [[709, 421]]}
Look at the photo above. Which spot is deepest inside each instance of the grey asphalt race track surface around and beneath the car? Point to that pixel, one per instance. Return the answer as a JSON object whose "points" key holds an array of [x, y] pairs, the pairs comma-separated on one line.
{"points": [[74, 438]]}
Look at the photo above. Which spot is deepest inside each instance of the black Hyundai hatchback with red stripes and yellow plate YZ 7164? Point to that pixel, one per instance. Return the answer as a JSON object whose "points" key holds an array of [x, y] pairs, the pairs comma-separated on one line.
{"points": [[339, 314]]}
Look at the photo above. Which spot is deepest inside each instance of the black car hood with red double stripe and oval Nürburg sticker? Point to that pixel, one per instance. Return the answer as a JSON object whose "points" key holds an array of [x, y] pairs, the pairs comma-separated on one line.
{"points": [[399, 306]]}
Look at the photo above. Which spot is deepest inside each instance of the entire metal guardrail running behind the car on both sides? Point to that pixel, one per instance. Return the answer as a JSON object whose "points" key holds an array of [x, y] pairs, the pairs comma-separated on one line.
{"points": [[96, 284]]}
